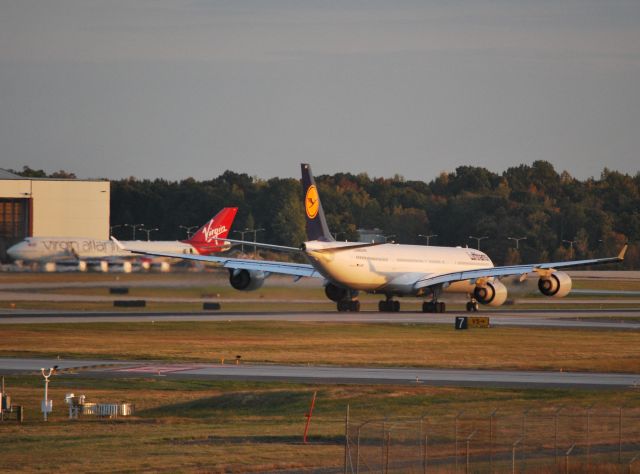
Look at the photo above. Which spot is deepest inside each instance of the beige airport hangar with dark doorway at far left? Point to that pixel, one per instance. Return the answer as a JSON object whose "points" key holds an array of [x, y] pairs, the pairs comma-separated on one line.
{"points": [[47, 207]]}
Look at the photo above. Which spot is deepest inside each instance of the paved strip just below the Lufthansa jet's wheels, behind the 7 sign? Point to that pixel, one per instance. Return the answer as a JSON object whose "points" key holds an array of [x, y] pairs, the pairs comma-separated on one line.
{"points": [[596, 319]]}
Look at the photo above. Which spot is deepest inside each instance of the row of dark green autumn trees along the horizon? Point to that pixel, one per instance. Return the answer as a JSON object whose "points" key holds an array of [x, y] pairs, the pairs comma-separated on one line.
{"points": [[558, 216]]}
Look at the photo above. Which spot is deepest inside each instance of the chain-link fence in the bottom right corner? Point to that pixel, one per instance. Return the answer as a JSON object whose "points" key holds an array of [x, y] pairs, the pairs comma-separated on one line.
{"points": [[551, 439]]}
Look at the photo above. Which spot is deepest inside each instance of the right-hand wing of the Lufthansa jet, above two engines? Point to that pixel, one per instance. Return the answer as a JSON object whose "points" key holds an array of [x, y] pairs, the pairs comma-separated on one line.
{"points": [[434, 280]]}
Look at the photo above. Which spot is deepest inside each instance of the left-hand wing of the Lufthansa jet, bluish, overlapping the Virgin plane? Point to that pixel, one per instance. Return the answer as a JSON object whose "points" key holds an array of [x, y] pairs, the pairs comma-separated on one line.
{"points": [[281, 268]]}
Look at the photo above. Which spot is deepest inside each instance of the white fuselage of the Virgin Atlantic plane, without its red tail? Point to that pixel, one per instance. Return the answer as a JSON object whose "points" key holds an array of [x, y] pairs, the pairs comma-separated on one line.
{"points": [[77, 248]]}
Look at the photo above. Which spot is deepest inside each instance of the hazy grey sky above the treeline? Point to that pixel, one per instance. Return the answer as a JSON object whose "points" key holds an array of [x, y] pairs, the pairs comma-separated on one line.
{"points": [[177, 89]]}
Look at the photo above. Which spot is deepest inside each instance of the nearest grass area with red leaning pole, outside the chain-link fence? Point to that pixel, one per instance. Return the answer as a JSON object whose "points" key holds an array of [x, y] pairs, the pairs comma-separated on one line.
{"points": [[200, 426]]}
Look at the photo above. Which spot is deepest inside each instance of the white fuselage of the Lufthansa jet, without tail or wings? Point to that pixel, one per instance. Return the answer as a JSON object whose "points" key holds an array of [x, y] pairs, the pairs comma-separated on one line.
{"points": [[392, 268]]}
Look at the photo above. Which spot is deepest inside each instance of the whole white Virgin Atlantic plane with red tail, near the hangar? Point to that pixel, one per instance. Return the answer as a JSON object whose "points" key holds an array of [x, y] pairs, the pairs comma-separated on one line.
{"points": [[83, 251]]}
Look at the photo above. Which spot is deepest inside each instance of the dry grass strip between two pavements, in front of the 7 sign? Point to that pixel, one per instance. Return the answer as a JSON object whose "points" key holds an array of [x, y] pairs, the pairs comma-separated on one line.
{"points": [[329, 343]]}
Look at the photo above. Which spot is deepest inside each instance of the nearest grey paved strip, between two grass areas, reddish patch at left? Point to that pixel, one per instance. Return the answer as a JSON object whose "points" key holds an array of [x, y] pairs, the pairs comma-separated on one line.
{"points": [[327, 374]]}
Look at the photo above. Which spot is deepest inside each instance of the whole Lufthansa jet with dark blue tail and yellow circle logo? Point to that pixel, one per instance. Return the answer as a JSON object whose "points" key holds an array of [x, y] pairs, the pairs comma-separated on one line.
{"points": [[390, 269]]}
